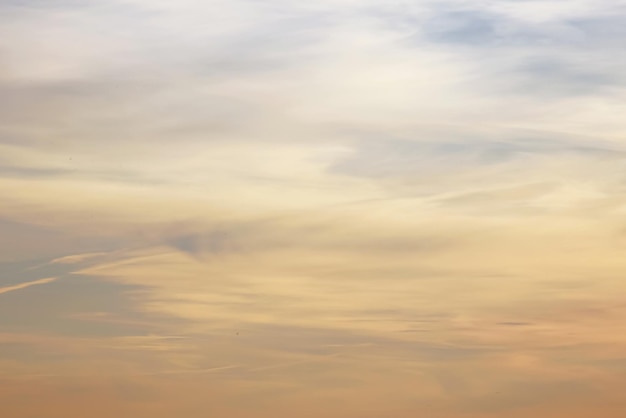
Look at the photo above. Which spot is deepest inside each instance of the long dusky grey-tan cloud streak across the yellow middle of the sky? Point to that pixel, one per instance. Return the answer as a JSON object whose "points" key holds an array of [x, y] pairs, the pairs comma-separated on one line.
{"points": [[305, 232]]}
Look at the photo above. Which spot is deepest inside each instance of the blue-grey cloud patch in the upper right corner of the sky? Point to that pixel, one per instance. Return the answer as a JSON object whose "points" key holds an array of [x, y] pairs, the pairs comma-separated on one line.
{"points": [[565, 57]]}
